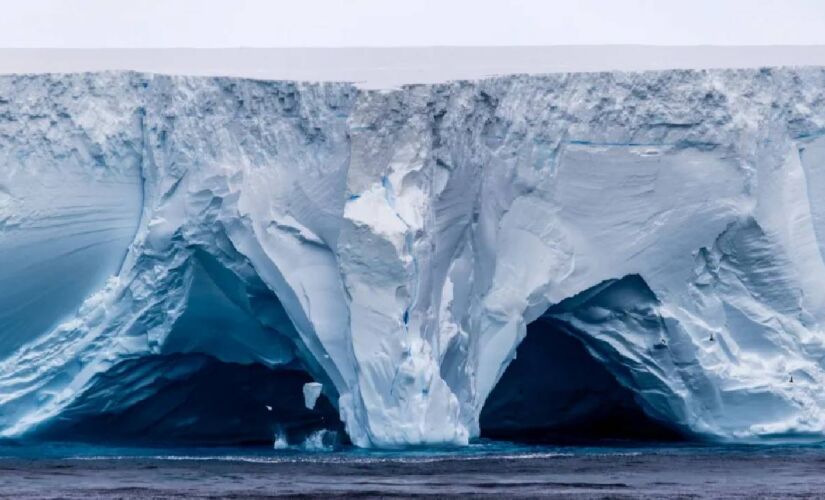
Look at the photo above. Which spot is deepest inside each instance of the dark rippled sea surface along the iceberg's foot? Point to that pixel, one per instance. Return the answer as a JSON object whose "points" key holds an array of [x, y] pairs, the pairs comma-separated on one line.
{"points": [[498, 470]]}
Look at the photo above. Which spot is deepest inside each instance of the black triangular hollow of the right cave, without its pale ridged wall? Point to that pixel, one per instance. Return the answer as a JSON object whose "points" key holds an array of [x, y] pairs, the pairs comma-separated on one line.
{"points": [[555, 391]]}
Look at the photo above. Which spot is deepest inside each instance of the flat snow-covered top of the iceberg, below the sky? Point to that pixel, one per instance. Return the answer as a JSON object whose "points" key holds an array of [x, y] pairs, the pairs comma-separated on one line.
{"points": [[378, 68]]}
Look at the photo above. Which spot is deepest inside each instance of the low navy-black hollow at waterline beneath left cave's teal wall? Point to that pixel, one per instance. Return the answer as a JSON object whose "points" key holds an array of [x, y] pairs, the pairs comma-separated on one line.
{"points": [[193, 400]]}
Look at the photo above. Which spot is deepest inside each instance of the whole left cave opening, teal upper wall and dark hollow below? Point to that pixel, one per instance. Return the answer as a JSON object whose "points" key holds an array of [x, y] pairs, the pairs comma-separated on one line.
{"points": [[227, 374]]}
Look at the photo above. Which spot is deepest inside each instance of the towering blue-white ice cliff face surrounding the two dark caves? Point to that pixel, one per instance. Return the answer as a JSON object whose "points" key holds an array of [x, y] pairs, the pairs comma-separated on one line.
{"points": [[395, 244]]}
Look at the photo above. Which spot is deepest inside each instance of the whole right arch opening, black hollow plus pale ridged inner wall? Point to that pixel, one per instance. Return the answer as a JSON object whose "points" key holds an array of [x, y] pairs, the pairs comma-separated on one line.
{"points": [[591, 367]]}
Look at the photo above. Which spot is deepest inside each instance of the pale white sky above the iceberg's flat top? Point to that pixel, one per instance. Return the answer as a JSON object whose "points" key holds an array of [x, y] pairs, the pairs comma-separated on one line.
{"points": [[374, 23]]}
